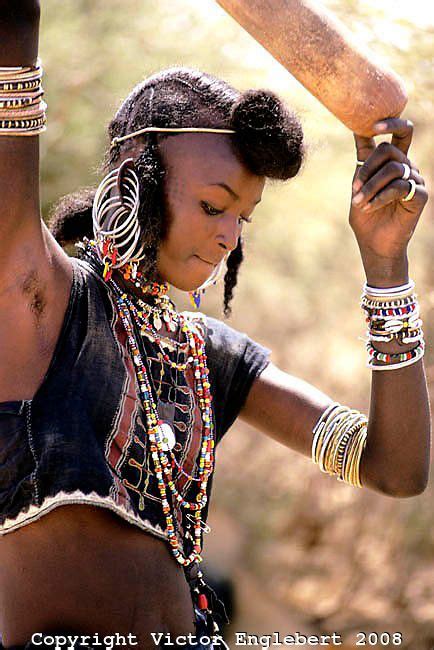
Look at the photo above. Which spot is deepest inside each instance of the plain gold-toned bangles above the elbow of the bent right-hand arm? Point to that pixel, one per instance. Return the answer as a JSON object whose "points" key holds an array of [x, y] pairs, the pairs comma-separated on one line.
{"points": [[339, 438]]}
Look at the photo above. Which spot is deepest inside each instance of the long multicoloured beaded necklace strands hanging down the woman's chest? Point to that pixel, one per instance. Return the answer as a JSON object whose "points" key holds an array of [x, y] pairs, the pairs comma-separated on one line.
{"points": [[147, 319]]}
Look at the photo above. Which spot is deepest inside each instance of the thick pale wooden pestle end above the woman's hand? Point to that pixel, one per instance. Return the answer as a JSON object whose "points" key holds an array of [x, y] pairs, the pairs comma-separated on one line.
{"points": [[321, 53]]}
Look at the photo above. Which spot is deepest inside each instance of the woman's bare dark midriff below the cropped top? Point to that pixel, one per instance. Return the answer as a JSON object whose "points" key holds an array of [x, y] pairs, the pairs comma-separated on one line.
{"points": [[83, 569]]}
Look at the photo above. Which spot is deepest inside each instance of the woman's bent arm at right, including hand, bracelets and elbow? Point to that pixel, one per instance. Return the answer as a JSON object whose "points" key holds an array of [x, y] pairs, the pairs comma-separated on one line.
{"points": [[388, 198]]}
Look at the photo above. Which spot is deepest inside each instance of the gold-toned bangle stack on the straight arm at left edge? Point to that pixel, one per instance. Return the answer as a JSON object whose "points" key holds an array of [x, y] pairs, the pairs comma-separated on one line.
{"points": [[22, 109]]}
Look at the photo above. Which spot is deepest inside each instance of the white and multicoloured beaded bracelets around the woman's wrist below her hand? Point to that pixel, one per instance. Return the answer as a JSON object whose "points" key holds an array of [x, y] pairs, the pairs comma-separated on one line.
{"points": [[392, 314]]}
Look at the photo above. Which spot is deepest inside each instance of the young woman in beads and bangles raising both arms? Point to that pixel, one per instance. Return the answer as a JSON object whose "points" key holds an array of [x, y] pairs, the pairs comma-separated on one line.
{"points": [[112, 402]]}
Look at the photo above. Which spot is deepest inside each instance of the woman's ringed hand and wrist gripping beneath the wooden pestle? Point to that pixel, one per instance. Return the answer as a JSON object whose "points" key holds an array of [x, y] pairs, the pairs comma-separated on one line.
{"points": [[382, 221]]}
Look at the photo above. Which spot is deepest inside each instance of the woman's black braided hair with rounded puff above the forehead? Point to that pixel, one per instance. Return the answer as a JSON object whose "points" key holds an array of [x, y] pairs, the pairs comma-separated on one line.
{"points": [[268, 140]]}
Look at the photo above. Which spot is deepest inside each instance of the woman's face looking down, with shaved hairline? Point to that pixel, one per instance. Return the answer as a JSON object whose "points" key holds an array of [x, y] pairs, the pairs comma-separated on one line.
{"points": [[210, 195]]}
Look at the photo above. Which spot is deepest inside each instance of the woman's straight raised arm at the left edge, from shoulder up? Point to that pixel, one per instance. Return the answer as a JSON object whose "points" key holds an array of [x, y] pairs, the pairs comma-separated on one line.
{"points": [[19, 156]]}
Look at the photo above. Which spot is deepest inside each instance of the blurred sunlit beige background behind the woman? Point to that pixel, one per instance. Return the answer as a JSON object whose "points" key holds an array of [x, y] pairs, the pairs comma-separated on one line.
{"points": [[303, 552]]}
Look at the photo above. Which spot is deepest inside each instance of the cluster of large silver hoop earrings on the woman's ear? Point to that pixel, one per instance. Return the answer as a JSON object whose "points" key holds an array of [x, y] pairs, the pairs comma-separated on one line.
{"points": [[116, 226]]}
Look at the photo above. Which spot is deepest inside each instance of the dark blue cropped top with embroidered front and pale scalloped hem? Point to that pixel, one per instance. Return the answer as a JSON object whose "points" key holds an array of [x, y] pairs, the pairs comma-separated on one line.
{"points": [[82, 437]]}
